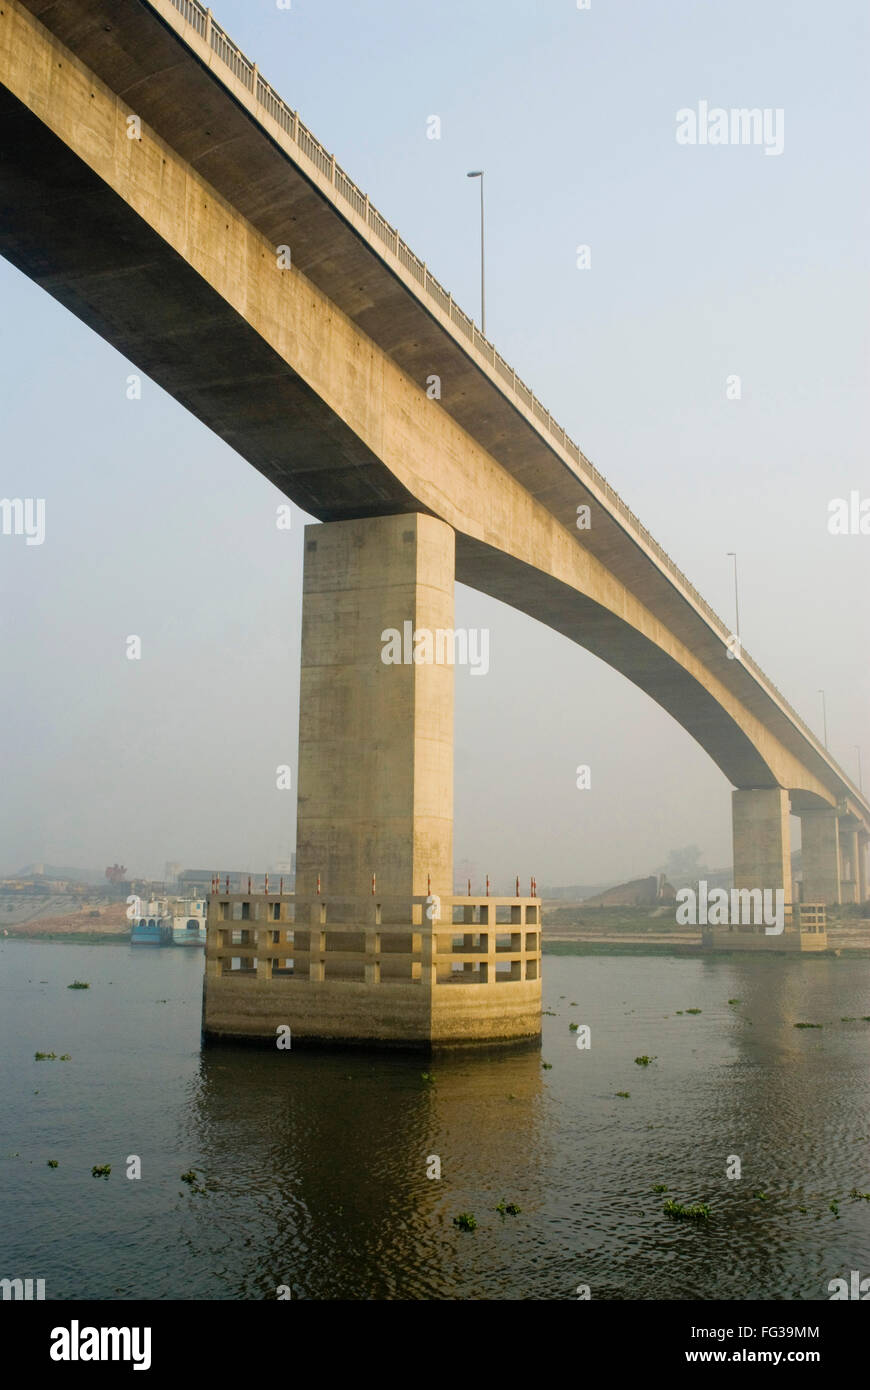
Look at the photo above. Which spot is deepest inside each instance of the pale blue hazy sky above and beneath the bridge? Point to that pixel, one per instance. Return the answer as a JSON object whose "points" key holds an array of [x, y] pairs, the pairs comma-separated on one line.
{"points": [[707, 262]]}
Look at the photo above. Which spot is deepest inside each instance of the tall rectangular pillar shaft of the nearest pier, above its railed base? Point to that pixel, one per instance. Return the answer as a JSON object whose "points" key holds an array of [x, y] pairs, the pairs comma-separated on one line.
{"points": [[376, 736]]}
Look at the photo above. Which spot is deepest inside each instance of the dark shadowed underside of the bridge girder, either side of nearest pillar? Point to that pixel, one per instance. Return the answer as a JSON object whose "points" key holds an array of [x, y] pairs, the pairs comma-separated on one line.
{"points": [[70, 233]]}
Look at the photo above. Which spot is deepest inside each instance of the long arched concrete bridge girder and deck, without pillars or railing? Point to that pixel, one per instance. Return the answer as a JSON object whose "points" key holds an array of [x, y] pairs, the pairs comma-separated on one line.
{"points": [[318, 375]]}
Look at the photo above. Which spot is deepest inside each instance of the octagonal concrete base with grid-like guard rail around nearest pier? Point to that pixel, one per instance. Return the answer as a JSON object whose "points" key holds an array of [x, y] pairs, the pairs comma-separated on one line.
{"points": [[249, 996]]}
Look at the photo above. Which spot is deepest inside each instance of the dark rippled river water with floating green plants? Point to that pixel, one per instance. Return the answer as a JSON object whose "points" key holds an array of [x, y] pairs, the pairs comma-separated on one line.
{"points": [[312, 1168]]}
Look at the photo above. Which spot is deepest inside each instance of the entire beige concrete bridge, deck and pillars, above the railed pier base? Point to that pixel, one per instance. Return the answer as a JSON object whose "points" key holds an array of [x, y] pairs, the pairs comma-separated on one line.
{"points": [[155, 184]]}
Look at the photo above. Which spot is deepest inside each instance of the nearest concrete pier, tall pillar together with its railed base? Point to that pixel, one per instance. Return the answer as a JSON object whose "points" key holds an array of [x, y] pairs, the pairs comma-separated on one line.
{"points": [[375, 949]]}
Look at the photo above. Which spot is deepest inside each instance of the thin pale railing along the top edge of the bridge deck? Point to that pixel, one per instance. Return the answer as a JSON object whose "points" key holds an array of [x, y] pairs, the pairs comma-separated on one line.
{"points": [[247, 72]]}
